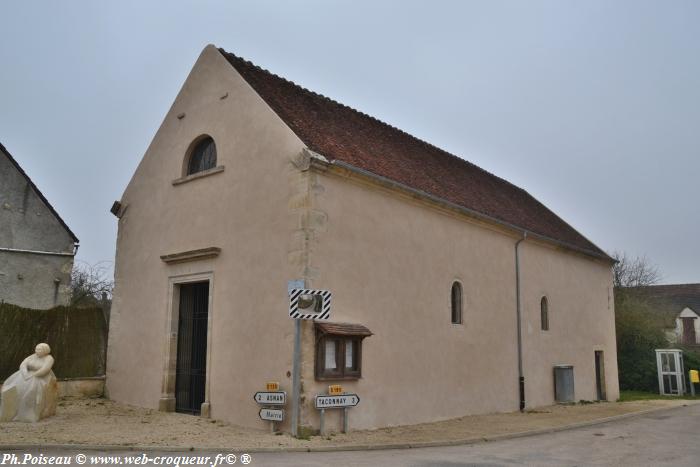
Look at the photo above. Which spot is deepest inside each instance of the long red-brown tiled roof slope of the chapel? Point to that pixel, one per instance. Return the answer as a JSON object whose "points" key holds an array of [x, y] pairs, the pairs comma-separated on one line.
{"points": [[341, 133]]}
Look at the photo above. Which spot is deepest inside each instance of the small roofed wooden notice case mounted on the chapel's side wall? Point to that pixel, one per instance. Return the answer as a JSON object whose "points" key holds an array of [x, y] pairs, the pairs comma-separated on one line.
{"points": [[339, 351]]}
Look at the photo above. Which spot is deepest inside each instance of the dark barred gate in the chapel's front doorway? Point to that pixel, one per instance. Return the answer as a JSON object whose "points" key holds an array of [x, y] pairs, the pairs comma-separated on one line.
{"points": [[190, 375]]}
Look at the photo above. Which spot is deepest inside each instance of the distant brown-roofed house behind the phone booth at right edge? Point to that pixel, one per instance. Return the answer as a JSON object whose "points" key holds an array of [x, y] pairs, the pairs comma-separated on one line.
{"points": [[679, 307]]}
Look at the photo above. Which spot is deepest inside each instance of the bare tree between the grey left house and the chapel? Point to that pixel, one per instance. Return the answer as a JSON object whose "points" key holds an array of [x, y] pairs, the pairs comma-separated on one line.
{"points": [[91, 284]]}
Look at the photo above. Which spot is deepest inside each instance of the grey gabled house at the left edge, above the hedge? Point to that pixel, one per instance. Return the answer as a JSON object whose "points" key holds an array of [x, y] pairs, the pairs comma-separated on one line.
{"points": [[36, 246]]}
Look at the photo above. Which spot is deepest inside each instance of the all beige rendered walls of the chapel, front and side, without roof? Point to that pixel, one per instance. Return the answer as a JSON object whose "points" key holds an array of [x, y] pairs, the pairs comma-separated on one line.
{"points": [[389, 260]]}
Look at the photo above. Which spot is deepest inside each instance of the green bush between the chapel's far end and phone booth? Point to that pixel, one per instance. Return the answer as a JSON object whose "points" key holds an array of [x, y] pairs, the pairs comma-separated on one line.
{"points": [[639, 334]]}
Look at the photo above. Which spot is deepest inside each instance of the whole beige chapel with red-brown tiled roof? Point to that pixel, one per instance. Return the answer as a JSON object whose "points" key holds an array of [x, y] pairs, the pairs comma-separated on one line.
{"points": [[450, 286]]}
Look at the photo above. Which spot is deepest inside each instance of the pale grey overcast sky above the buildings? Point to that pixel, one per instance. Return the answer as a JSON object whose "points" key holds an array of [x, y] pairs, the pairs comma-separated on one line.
{"points": [[591, 106]]}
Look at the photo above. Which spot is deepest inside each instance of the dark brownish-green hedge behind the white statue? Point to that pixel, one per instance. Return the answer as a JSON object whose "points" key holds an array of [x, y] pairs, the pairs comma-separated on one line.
{"points": [[77, 336]]}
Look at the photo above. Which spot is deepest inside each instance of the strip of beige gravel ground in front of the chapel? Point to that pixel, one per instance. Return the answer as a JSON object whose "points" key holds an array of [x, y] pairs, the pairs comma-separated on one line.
{"points": [[104, 422]]}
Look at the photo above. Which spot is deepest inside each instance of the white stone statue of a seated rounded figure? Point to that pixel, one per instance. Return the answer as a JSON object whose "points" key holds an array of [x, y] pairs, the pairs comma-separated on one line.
{"points": [[31, 393]]}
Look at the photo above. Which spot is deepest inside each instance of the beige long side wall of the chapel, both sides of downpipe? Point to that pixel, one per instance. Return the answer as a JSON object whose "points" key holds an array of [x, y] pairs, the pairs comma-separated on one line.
{"points": [[391, 260]]}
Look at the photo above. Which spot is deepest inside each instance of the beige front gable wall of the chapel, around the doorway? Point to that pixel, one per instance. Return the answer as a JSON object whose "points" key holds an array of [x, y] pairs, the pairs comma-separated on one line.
{"points": [[243, 210]]}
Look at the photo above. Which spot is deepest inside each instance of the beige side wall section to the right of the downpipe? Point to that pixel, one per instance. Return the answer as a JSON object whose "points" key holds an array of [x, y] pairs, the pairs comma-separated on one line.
{"points": [[581, 321]]}
